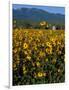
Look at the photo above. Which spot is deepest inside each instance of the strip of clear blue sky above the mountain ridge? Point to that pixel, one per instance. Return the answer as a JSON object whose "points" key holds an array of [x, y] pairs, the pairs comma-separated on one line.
{"points": [[51, 9]]}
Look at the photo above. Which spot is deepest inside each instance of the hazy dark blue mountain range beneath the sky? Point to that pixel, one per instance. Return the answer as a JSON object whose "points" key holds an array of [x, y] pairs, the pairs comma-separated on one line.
{"points": [[37, 15]]}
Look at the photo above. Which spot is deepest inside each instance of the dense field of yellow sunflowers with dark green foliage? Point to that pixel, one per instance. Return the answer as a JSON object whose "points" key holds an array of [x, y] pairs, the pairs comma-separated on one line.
{"points": [[38, 56]]}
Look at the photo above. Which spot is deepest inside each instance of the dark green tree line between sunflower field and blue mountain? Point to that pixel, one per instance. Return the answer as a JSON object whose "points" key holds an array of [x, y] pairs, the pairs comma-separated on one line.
{"points": [[41, 25]]}
